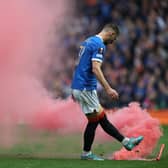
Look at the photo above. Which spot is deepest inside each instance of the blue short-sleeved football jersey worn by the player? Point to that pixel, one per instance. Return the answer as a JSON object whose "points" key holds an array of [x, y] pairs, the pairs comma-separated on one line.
{"points": [[91, 49]]}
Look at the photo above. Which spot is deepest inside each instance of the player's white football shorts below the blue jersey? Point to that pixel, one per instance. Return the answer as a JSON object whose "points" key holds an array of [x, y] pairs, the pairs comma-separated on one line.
{"points": [[88, 101]]}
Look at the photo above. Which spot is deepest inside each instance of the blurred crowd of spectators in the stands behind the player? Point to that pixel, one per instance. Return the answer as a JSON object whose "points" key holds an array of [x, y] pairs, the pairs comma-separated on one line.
{"points": [[136, 65]]}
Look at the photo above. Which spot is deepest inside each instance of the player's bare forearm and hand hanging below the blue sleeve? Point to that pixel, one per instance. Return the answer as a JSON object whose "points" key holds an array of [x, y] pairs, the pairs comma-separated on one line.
{"points": [[96, 69]]}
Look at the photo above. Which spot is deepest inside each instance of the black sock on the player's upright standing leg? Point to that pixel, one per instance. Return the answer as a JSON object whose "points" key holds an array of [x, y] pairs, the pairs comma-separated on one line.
{"points": [[89, 135]]}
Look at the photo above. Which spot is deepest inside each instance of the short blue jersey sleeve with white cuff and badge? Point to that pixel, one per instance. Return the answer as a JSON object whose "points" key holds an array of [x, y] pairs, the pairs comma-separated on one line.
{"points": [[98, 54]]}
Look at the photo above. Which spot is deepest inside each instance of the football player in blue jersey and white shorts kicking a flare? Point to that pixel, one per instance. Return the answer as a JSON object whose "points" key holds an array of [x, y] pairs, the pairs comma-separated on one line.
{"points": [[84, 85]]}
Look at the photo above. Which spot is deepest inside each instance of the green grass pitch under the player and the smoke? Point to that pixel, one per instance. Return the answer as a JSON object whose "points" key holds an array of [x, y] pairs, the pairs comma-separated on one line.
{"points": [[57, 152]]}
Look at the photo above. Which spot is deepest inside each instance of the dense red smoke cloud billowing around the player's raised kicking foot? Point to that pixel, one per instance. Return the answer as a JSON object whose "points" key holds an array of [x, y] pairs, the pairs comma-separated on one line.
{"points": [[134, 121]]}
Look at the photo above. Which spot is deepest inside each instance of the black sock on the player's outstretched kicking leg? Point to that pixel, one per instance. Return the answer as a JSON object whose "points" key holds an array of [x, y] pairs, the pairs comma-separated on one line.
{"points": [[110, 129]]}
